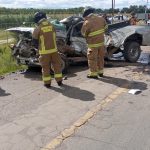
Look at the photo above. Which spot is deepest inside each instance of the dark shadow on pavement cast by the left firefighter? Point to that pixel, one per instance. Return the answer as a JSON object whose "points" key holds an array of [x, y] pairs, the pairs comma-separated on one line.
{"points": [[75, 92]]}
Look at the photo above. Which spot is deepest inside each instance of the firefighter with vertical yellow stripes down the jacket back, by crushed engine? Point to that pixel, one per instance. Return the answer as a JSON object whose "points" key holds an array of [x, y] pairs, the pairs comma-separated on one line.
{"points": [[44, 38]]}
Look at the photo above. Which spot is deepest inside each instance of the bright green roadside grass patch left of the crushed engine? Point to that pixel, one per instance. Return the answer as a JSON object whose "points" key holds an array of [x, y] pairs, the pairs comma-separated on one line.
{"points": [[7, 62]]}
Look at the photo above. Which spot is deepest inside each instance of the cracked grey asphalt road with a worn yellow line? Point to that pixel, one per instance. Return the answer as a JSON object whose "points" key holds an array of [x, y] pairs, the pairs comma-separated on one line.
{"points": [[84, 114]]}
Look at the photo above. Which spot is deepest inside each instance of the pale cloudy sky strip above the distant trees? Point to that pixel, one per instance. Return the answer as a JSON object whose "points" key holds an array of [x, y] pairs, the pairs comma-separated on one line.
{"points": [[68, 3]]}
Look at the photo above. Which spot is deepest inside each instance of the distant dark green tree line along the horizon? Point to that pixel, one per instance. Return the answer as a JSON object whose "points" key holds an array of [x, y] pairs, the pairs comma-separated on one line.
{"points": [[135, 8]]}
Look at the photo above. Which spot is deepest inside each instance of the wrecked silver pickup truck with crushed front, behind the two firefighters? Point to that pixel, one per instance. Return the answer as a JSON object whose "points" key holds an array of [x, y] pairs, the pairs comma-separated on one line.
{"points": [[72, 45]]}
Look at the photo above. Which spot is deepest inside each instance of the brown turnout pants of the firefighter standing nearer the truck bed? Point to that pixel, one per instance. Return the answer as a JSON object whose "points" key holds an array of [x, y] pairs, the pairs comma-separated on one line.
{"points": [[96, 60]]}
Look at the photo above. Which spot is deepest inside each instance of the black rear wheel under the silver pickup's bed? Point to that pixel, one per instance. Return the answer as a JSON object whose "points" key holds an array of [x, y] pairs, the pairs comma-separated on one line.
{"points": [[132, 51]]}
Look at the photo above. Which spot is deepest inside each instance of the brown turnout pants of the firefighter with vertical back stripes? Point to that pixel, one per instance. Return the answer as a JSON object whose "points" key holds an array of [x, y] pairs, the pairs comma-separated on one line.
{"points": [[51, 60]]}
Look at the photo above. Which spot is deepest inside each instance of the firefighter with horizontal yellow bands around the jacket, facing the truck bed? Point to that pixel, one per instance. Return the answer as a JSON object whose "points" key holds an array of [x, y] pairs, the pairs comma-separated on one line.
{"points": [[93, 30]]}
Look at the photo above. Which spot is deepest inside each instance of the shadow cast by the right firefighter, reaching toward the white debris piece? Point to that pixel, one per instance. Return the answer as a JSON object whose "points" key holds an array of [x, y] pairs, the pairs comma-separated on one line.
{"points": [[119, 82]]}
